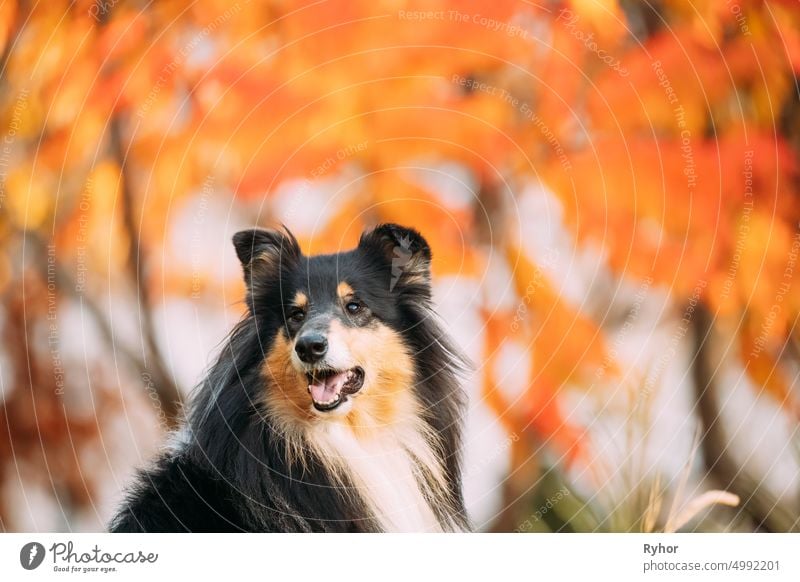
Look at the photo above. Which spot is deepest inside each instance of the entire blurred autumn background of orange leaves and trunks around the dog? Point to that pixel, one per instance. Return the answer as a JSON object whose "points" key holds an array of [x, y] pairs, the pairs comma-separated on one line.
{"points": [[610, 189]]}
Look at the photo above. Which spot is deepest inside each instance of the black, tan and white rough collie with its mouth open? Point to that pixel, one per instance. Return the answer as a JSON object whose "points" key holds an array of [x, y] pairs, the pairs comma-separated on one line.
{"points": [[334, 405]]}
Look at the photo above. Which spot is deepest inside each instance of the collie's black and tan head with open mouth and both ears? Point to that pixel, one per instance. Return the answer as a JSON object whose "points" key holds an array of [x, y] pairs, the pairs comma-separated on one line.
{"points": [[336, 327]]}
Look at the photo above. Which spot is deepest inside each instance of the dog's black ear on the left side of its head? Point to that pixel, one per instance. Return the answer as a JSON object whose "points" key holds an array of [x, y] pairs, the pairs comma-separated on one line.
{"points": [[264, 252]]}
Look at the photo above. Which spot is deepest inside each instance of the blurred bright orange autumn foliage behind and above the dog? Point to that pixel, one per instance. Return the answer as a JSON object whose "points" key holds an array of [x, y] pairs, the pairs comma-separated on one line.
{"points": [[669, 136]]}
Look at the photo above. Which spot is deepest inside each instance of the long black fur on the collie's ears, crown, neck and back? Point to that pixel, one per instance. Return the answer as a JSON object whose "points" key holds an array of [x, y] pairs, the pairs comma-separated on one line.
{"points": [[230, 474]]}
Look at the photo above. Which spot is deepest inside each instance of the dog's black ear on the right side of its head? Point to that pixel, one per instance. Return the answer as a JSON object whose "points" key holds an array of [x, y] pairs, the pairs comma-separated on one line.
{"points": [[406, 251]]}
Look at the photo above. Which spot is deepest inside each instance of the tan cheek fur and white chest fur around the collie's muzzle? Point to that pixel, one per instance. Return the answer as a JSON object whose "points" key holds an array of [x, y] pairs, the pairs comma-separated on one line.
{"points": [[384, 423]]}
